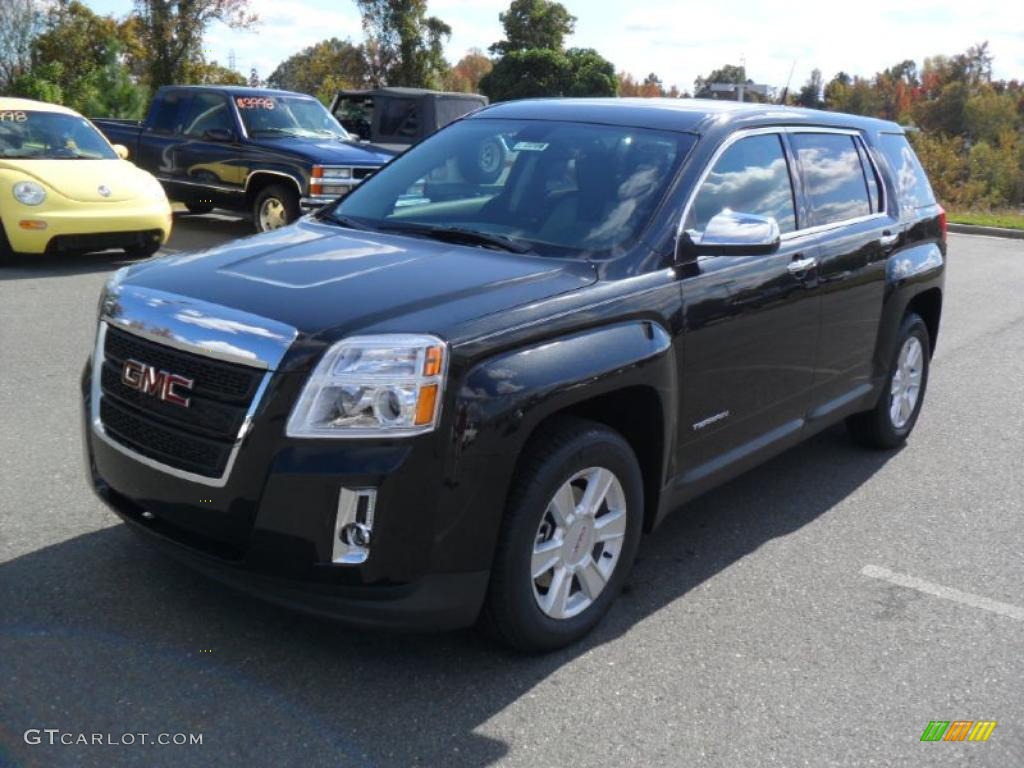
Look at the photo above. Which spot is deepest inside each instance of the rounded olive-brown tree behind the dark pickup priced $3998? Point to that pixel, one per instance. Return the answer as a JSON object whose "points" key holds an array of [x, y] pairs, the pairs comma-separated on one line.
{"points": [[322, 70]]}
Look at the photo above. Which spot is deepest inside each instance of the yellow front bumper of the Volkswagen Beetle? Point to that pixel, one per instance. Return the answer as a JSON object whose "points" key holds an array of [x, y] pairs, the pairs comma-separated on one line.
{"points": [[64, 224]]}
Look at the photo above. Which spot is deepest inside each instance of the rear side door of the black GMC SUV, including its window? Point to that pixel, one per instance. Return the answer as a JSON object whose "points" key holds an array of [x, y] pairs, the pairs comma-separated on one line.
{"points": [[852, 236]]}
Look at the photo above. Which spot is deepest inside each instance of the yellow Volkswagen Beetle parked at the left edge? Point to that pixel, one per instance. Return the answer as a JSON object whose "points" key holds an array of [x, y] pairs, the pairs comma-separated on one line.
{"points": [[64, 189]]}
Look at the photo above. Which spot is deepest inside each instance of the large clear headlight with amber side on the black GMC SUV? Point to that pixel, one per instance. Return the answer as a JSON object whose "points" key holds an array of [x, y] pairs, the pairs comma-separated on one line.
{"points": [[373, 387]]}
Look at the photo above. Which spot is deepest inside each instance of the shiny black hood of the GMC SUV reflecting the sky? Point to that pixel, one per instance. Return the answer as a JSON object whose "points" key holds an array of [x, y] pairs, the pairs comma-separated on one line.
{"points": [[328, 281]]}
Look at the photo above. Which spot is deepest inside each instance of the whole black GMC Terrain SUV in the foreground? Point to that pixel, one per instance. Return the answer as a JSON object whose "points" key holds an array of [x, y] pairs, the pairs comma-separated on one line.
{"points": [[443, 400]]}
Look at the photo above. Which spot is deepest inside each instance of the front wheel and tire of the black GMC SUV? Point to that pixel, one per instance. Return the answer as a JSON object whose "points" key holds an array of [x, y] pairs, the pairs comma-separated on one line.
{"points": [[569, 539]]}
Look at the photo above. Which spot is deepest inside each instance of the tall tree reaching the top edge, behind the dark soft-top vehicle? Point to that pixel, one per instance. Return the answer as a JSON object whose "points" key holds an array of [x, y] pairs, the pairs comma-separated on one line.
{"points": [[405, 47]]}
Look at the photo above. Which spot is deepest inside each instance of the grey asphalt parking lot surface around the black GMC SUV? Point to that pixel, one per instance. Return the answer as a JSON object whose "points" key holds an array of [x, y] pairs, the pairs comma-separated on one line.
{"points": [[820, 612]]}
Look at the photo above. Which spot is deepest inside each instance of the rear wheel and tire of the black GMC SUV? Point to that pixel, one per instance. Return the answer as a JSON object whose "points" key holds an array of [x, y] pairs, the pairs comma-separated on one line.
{"points": [[891, 421]]}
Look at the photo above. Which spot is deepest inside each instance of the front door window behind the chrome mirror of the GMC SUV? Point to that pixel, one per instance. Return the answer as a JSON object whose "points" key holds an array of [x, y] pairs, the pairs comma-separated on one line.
{"points": [[752, 177]]}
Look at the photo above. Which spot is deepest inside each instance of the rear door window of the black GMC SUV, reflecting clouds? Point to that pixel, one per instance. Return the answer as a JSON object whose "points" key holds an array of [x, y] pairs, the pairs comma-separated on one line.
{"points": [[837, 187]]}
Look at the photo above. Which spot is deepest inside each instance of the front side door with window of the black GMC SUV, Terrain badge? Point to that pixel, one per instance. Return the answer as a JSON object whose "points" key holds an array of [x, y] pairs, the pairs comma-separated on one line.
{"points": [[752, 322]]}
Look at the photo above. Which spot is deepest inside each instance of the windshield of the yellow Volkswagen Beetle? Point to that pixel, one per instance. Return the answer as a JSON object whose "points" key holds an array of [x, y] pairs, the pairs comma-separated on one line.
{"points": [[51, 136]]}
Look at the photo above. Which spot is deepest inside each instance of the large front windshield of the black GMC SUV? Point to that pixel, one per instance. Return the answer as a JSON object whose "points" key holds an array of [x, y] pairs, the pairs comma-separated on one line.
{"points": [[562, 189]]}
